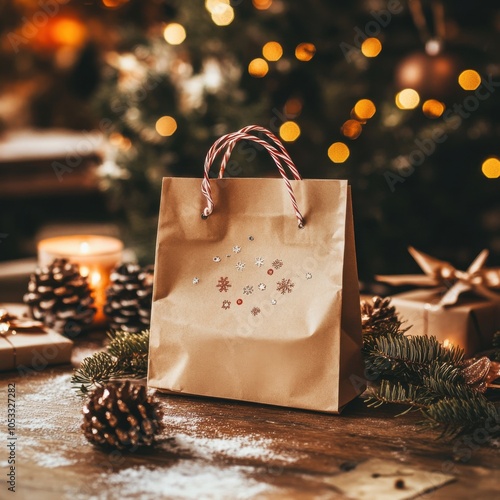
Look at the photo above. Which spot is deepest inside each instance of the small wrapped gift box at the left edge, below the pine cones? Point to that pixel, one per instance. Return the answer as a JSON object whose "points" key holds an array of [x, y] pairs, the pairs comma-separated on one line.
{"points": [[32, 351]]}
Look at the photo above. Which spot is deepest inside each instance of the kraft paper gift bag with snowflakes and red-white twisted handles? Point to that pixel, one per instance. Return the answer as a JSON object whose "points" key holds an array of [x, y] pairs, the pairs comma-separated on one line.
{"points": [[256, 293]]}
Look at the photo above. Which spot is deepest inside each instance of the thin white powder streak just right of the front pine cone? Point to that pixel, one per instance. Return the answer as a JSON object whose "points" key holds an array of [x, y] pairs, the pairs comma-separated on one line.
{"points": [[236, 447]]}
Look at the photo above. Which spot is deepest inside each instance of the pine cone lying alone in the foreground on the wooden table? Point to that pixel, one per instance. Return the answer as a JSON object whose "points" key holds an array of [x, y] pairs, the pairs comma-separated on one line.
{"points": [[122, 415]]}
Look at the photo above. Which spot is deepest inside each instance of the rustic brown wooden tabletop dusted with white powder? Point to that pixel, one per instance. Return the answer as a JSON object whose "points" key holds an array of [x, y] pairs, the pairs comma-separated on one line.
{"points": [[220, 449]]}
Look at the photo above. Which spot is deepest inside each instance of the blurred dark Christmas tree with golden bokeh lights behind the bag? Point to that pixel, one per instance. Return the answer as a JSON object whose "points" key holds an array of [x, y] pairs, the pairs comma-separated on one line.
{"points": [[367, 90]]}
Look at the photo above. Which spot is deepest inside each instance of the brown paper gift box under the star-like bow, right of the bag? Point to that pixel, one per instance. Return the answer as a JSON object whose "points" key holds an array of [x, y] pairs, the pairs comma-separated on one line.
{"points": [[470, 323]]}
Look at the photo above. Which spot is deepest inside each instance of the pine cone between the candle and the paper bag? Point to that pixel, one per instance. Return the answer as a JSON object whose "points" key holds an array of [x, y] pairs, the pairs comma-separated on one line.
{"points": [[129, 297]]}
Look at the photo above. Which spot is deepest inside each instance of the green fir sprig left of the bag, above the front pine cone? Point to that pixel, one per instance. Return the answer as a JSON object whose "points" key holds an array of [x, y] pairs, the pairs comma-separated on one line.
{"points": [[126, 357]]}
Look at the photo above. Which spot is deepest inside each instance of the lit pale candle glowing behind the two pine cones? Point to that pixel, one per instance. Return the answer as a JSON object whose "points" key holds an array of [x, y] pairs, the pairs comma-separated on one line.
{"points": [[96, 256]]}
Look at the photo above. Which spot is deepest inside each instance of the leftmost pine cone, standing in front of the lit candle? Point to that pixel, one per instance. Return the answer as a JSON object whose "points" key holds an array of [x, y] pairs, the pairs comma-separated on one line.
{"points": [[61, 297]]}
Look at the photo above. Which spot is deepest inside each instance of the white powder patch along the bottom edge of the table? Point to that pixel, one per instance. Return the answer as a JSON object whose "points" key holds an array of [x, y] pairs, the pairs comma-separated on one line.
{"points": [[186, 480]]}
